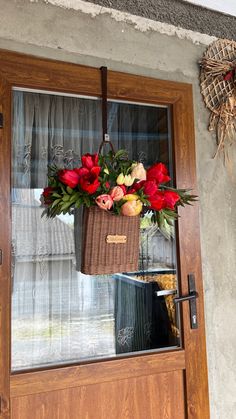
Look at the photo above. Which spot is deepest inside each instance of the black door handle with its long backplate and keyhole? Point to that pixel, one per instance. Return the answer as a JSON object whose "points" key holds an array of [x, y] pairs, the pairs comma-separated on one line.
{"points": [[191, 297]]}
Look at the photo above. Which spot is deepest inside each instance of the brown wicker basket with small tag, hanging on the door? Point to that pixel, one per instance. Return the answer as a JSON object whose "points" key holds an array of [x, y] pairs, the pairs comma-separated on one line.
{"points": [[110, 243]]}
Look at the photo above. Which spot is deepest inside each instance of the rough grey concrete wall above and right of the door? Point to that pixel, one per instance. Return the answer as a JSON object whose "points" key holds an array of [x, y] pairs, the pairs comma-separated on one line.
{"points": [[96, 36]]}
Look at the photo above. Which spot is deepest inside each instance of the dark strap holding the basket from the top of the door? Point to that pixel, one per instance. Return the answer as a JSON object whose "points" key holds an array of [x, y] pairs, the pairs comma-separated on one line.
{"points": [[105, 135]]}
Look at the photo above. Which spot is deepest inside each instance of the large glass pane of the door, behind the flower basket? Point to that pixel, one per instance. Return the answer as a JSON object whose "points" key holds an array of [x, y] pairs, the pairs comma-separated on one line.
{"points": [[59, 315]]}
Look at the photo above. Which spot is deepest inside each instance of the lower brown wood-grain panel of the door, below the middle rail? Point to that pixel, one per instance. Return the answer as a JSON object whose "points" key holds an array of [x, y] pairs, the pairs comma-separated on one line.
{"points": [[158, 396]]}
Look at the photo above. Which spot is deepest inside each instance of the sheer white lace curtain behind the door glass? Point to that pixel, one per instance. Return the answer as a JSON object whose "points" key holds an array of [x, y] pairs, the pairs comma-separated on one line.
{"points": [[58, 314]]}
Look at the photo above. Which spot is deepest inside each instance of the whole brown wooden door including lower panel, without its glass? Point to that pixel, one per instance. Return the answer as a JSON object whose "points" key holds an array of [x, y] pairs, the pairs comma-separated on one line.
{"points": [[161, 384]]}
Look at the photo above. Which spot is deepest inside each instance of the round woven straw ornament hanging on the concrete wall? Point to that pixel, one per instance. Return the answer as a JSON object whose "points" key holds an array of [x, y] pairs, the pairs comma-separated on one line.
{"points": [[218, 88]]}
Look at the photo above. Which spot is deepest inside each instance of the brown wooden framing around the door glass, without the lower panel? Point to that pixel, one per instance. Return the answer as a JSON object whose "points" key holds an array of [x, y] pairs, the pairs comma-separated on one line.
{"points": [[31, 72]]}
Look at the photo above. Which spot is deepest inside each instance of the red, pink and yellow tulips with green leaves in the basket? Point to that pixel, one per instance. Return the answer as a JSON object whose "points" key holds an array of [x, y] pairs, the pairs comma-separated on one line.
{"points": [[116, 184]]}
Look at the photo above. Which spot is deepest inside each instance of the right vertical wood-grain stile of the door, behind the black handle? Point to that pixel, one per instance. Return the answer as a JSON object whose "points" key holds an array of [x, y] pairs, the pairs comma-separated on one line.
{"points": [[190, 259]]}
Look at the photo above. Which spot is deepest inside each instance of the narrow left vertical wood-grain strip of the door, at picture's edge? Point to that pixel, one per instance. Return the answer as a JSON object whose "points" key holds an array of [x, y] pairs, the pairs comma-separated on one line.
{"points": [[5, 240]]}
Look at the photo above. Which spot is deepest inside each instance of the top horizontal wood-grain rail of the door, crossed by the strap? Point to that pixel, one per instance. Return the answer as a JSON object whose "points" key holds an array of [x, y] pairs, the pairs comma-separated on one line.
{"points": [[38, 73]]}
